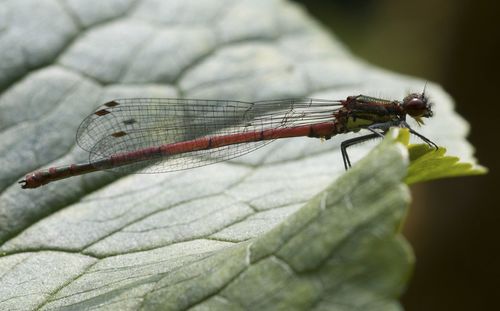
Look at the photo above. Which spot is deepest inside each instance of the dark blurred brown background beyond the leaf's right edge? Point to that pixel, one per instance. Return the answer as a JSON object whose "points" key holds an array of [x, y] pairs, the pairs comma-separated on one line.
{"points": [[453, 224]]}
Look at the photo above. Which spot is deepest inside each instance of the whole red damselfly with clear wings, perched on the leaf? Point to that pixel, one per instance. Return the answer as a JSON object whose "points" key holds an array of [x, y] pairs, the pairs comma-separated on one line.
{"points": [[155, 135]]}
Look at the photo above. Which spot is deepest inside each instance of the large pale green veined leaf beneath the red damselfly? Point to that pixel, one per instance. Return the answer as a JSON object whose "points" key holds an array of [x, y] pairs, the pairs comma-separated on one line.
{"points": [[221, 235]]}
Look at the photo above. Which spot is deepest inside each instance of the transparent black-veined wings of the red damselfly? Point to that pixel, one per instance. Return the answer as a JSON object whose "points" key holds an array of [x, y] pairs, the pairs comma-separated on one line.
{"points": [[127, 125]]}
